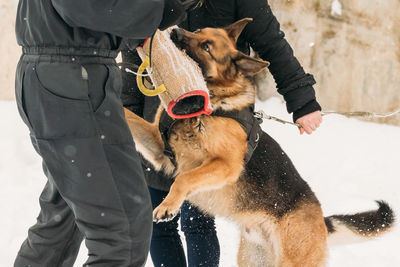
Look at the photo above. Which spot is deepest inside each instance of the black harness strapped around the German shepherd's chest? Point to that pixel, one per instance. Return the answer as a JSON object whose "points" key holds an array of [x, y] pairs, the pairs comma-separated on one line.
{"points": [[245, 117]]}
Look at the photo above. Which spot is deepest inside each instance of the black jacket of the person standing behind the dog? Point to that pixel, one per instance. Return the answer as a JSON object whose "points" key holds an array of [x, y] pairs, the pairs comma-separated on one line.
{"points": [[263, 35]]}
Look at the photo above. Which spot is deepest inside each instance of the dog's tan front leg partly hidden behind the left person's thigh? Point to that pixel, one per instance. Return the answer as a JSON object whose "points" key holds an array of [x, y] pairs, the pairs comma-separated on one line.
{"points": [[148, 141]]}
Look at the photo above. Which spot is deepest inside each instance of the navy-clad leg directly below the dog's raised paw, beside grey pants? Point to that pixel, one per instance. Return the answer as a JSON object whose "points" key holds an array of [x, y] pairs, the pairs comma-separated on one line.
{"points": [[166, 248]]}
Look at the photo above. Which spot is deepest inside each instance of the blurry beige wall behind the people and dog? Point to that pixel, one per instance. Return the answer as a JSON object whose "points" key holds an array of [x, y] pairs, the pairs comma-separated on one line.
{"points": [[352, 47]]}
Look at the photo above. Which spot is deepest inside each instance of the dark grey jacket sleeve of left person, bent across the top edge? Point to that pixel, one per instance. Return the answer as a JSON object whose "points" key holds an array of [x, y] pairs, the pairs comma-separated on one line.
{"points": [[132, 19]]}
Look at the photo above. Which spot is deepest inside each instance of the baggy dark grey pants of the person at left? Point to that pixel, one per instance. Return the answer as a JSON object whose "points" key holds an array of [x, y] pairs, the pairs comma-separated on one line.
{"points": [[95, 189]]}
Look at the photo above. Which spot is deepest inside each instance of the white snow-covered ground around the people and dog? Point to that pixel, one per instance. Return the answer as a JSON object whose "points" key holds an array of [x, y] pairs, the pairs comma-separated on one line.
{"points": [[348, 163]]}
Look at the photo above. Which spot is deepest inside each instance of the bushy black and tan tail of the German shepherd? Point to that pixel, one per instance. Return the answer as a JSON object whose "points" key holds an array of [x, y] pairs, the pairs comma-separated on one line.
{"points": [[345, 229]]}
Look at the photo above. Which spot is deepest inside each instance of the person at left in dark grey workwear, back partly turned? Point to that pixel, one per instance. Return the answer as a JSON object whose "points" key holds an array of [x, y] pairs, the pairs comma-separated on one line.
{"points": [[68, 93]]}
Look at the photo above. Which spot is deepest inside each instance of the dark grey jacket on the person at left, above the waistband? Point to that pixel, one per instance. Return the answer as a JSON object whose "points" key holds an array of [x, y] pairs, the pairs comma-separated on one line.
{"points": [[85, 26]]}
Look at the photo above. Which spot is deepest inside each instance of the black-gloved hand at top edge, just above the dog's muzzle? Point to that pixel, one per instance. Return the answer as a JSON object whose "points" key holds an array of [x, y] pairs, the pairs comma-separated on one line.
{"points": [[175, 12]]}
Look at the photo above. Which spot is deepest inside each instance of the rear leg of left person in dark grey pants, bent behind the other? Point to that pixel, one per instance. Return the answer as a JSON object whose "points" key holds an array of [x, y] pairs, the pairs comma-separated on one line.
{"points": [[55, 239]]}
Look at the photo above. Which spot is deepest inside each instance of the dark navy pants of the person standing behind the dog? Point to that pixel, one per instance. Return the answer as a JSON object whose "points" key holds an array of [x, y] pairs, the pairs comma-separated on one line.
{"points": [[201, 238]]}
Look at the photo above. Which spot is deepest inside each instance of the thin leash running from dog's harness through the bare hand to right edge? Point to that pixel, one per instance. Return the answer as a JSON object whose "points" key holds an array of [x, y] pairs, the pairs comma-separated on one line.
{"points": [[365, 114]]}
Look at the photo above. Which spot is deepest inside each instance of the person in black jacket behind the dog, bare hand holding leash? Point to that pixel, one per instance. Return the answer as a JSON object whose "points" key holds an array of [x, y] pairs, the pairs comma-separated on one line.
{"points": [[264, 36]]}
